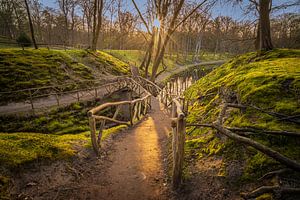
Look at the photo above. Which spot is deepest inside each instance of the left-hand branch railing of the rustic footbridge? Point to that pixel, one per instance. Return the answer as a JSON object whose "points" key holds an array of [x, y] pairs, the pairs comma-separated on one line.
{"points": [[136, 109]]}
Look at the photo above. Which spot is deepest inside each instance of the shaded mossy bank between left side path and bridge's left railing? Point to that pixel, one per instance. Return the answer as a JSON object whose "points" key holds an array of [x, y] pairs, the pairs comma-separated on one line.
{"points": [[71, 119]]}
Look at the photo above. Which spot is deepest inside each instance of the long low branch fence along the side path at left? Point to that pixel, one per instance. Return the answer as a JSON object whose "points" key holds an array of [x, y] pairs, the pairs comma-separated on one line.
{"points": [[33, 98]]}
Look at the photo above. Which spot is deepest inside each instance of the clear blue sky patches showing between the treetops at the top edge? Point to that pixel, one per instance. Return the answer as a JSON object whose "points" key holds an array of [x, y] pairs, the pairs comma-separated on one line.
{"points": [[221, 8]]}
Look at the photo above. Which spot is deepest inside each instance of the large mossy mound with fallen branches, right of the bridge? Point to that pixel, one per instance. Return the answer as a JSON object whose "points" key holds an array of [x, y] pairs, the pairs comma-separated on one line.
{"points": [[268, 80]]}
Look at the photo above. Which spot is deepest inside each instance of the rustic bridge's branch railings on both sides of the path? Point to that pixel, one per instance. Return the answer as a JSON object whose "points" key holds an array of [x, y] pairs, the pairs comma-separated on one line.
{"points": [[169, 96]]}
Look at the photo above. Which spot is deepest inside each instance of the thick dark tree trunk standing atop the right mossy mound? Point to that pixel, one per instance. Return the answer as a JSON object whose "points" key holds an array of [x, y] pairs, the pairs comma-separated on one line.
{"points": [[265, 28]]}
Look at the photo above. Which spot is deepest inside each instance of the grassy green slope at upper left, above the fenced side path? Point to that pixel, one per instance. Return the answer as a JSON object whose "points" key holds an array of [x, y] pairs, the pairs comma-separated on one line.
{"points": [[38, 68]]}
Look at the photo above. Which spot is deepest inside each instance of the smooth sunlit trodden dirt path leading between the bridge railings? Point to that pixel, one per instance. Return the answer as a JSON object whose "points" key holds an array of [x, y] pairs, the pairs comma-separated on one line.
{"points": [[137, 170]]}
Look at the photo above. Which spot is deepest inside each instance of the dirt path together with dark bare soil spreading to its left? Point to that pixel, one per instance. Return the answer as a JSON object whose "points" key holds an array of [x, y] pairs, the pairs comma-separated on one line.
{"points": [[132, 166]]}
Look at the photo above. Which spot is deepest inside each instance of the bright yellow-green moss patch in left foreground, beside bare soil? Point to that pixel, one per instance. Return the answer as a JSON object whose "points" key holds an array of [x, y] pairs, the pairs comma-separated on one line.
{"points": [[21, 148]]}
